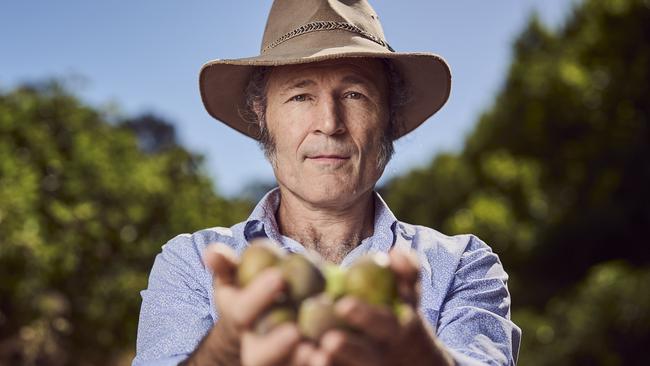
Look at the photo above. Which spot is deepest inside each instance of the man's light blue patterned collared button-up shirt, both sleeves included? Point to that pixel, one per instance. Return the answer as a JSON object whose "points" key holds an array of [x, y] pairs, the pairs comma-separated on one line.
{"points": [[464, 287]]}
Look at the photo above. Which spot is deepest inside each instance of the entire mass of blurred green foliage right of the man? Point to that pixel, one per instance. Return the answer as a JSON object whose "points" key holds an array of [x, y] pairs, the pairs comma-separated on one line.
{"points": [[555, 177]]}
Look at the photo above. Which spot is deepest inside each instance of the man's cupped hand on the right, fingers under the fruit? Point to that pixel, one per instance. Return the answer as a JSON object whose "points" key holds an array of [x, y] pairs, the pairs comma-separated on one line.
{"points": [[382, 339]]}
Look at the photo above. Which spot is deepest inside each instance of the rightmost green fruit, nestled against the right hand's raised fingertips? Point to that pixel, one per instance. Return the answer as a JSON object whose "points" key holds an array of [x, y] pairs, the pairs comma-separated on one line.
{"points": [[370, 279]]}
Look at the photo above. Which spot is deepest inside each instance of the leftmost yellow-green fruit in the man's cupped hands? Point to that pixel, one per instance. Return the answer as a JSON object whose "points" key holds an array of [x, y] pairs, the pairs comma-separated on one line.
{"points": [[256, 258]]}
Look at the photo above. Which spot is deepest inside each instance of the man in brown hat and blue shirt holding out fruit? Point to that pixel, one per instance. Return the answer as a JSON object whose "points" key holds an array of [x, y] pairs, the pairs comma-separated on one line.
{"points": [[326, 98]]}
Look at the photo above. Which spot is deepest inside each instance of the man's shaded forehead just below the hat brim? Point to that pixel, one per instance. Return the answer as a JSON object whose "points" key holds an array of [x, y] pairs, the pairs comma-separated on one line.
{"points": [[350, 70]]}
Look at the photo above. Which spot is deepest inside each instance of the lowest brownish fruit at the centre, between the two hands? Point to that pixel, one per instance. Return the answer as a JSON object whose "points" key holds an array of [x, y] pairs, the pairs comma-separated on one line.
{"points": [[316, 316]]}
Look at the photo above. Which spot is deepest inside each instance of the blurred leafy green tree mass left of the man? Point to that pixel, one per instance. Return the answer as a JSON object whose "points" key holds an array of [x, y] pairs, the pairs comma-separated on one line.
{"points": [[84, 208]]}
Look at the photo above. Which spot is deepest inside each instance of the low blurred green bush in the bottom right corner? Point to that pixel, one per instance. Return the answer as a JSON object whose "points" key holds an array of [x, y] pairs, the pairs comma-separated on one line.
{"points": [[605, 321]]}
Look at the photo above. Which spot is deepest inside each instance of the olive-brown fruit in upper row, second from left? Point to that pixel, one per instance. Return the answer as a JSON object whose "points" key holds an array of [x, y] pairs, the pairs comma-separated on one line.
{"points": [[303, 277]]}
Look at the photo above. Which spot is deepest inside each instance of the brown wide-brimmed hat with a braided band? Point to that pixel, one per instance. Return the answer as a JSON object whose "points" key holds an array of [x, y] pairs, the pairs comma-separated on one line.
{"points": [[305, 31]]}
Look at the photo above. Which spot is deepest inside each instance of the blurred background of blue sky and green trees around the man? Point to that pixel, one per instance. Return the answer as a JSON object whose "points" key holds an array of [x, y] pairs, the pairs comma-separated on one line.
{"points": [[106, 153]]}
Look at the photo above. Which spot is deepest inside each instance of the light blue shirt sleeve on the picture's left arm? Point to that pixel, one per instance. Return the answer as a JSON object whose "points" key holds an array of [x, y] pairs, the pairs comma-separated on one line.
{"points": [[176, 306]]}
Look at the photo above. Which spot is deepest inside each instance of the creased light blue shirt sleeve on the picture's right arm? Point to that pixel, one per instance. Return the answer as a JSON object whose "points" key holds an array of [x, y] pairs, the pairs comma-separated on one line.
{"points": [[474, 319]]}
